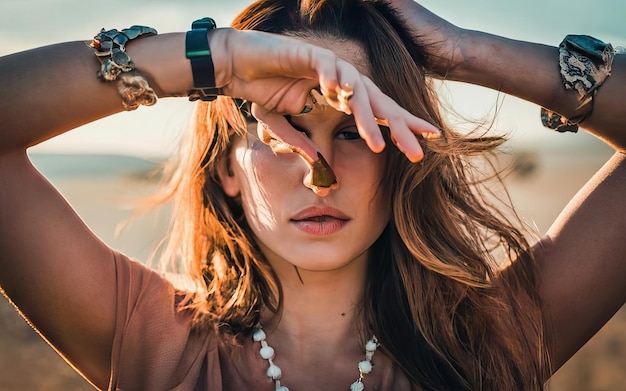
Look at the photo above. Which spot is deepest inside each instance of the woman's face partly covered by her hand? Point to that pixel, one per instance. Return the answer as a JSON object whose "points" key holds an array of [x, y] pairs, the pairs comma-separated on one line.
{"points": [[291, 223]]}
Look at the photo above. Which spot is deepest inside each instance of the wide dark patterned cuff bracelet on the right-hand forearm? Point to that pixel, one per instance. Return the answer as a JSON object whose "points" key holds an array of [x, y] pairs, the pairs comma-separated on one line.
{"points": [[585, 63]]}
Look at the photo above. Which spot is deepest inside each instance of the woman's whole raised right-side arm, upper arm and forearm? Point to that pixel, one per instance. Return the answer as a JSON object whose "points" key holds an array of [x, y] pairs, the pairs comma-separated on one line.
{"points": [[582, 264]]}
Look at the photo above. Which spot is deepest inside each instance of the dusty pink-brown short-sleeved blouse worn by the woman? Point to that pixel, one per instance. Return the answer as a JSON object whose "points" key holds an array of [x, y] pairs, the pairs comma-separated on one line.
{"points": [[155, 349]]}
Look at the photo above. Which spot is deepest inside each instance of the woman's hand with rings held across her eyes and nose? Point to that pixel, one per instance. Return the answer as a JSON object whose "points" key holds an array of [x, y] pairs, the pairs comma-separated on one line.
{"points": [[277, 73]]}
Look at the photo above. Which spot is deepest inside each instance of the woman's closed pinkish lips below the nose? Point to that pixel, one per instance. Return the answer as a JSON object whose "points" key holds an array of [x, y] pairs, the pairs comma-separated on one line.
{"points": [[320, 221]]}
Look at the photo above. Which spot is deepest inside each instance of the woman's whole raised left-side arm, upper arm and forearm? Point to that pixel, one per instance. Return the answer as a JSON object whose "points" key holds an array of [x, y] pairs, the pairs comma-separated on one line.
{"points": [[51, 266]]}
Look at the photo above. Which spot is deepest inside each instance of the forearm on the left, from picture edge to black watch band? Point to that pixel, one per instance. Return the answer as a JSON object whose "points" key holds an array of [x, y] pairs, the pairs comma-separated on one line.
{"points": [[49, 90]]}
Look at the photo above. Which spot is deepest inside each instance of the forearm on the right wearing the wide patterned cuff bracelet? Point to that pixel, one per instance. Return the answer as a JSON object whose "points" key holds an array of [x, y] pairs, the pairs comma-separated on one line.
{"points": [[527, 70]]}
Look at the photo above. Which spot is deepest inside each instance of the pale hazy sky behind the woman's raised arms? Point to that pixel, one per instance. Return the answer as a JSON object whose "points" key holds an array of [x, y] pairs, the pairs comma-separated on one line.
{"points": [[152, 131]]}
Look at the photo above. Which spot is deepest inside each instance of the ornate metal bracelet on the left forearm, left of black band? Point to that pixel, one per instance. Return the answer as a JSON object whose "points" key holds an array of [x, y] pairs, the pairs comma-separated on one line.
{"points": [[110, 49]]}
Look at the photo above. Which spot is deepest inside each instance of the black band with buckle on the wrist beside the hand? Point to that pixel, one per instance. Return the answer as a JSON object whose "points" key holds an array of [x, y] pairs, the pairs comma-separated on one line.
{"points": [[198, 52]]}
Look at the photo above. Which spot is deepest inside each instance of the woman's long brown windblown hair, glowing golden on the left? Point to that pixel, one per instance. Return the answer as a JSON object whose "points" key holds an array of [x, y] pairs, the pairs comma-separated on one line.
{"points": [[444, 293]]}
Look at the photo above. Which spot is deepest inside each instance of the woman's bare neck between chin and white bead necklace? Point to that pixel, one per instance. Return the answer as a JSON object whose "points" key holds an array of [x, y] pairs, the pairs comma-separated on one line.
{"points": [[320, 312]]}
